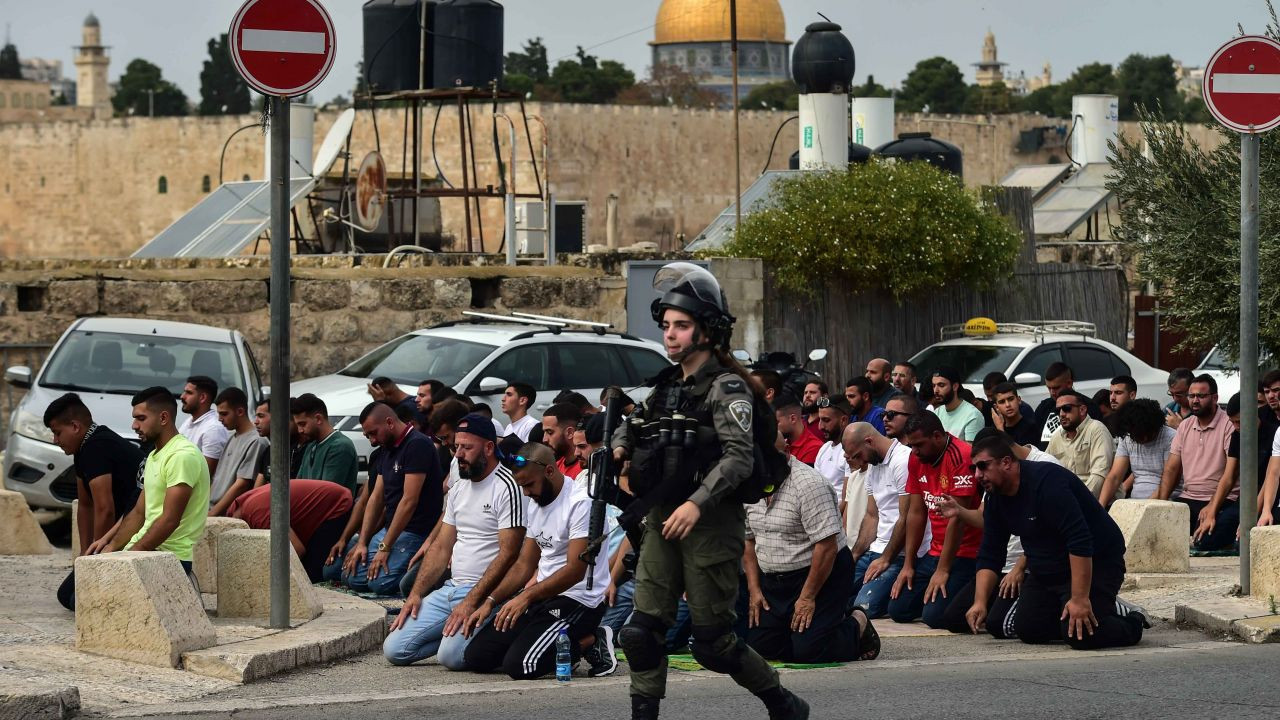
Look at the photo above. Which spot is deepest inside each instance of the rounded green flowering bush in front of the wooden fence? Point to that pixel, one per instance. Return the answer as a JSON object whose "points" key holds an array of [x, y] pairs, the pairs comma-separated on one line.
{"points": [[900, 229]]}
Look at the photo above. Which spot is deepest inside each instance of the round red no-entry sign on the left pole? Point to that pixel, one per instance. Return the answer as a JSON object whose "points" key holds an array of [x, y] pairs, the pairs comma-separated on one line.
{"points": [[282, 48]]}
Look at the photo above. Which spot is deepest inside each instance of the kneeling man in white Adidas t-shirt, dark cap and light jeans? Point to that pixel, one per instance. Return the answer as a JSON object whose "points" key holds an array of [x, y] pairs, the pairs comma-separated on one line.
{"points": [[481, 539]]}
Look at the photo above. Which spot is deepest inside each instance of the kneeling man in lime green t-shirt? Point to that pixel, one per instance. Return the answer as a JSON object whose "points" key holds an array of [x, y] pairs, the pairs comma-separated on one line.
{"points": [[175, 502]]}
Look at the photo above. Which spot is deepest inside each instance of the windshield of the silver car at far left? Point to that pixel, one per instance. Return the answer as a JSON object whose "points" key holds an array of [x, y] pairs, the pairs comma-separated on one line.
{"points": [[124, 364]]}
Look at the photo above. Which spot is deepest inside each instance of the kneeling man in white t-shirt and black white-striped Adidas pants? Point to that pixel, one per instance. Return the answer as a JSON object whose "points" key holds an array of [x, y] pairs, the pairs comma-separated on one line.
{"points": [[522, 640]]}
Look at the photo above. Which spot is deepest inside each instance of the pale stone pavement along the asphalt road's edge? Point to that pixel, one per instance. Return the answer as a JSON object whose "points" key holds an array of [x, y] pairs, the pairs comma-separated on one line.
{"points": [[36, 642]]}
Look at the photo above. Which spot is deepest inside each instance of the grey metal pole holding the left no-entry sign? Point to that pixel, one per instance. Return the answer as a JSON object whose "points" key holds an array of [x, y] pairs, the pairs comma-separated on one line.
{"points": [[280, 293]]}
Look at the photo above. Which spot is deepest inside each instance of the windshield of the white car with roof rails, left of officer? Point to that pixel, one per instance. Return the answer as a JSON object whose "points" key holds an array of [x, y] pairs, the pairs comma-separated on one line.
{"points": [[415, 358]]}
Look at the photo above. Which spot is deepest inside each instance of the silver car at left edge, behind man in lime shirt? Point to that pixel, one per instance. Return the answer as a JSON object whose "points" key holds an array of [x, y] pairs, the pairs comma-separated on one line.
{"points": [[107, 361]]}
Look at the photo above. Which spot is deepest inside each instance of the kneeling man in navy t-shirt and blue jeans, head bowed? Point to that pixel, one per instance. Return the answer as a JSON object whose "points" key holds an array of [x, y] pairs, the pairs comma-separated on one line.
{"points": [[408, 498]]}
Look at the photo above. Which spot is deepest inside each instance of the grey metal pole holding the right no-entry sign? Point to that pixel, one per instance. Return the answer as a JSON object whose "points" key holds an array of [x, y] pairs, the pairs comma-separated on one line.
{"points": [[1250, 153]]}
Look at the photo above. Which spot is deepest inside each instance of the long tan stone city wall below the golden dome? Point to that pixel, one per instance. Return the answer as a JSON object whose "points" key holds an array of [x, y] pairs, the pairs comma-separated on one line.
{"points": [[93, 188]]}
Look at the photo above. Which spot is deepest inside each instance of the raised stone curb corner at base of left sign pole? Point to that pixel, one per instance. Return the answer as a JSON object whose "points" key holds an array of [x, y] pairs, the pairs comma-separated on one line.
{"points": [[349, 626]]}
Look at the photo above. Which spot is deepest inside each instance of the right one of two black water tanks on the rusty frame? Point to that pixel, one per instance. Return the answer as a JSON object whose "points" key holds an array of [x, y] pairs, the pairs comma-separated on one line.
{"points": [[468, 44]]}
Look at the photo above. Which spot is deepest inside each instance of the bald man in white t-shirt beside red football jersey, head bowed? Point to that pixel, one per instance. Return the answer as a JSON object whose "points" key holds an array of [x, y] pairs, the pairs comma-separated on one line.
{"points": [[880, 559]]}
